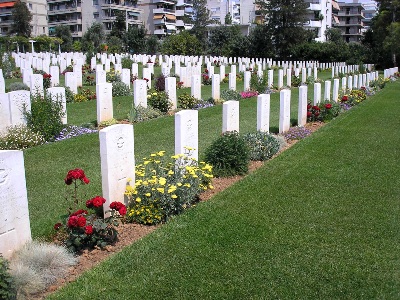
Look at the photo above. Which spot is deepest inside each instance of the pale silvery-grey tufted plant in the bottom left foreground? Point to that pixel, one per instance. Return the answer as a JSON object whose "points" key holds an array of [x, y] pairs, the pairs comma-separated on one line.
{"points": [[37, 265]]}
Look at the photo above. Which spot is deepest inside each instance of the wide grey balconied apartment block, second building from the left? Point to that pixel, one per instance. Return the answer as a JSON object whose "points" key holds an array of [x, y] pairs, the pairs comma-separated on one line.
{"points": [[79, 15]]}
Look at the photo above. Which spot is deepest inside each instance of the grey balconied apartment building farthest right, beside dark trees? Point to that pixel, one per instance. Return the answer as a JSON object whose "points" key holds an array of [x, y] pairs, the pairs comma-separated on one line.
{"points": [[350, 20]]}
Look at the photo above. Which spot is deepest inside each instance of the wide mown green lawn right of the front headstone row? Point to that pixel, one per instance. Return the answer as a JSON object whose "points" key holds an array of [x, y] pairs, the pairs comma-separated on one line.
{"points": [[320, 221]]}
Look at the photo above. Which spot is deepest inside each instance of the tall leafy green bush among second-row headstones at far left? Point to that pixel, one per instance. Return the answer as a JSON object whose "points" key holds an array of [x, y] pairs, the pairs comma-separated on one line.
{"points": [[45, 116]]}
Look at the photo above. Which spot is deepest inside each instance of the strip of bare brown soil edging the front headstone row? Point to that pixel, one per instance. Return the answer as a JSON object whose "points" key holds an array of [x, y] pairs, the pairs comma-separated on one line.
{"points": [[129, 233]]}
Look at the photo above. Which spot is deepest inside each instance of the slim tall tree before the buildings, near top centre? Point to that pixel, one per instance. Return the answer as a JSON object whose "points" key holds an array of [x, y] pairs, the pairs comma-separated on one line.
{"points": [[201, 18]]}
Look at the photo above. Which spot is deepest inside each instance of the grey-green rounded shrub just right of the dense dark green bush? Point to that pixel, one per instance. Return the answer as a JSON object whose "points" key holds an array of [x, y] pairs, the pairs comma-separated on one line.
{"points": [[262, 145]]}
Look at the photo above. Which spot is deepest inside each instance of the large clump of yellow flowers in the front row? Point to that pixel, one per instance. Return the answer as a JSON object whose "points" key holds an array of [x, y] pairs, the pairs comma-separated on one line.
{"points": [[166, 187]]}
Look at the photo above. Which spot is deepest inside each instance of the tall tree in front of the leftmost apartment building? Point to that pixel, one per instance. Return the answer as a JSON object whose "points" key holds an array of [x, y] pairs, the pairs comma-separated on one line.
{"points": [[22, 18]]}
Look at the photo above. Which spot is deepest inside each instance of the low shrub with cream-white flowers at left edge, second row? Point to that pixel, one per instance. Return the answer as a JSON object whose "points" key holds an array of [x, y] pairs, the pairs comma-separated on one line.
{"points": [[20, 137]]}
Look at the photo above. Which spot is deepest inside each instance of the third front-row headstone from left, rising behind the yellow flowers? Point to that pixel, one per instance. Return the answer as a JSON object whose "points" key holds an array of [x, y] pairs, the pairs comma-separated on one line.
{"points": [[186, 132]]}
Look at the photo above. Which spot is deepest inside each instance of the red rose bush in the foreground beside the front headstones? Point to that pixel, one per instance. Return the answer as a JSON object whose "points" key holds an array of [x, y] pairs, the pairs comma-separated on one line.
{"points": [[85, 228]]}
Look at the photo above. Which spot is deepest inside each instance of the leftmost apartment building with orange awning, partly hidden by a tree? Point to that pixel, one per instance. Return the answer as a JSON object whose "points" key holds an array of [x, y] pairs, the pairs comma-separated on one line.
{"points": [[39, 16]]}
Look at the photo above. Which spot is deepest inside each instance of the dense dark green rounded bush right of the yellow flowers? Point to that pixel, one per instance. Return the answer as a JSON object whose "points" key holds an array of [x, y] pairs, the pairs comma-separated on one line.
{"points": [[229, 155]]}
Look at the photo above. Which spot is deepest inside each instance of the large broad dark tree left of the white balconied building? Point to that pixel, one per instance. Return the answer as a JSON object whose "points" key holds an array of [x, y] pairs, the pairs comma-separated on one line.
{"points": [[285, 20]]}
